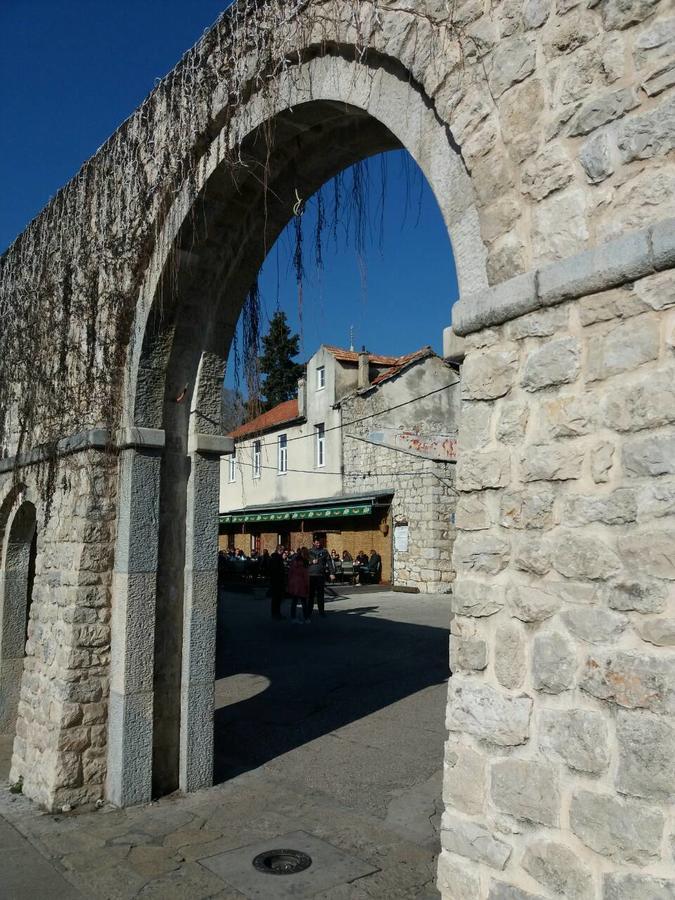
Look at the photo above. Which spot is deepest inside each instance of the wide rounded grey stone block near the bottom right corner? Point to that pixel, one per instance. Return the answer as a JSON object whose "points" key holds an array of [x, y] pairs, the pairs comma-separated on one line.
{"points": [[625, 831]]}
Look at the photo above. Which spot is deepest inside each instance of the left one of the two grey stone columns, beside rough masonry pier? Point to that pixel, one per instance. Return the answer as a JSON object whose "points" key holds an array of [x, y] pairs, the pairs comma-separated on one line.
{"points": [[129, 776]]}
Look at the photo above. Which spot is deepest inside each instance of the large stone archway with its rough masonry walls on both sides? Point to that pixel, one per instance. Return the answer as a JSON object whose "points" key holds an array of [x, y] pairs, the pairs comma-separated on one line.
{"points": [[542, 136]]}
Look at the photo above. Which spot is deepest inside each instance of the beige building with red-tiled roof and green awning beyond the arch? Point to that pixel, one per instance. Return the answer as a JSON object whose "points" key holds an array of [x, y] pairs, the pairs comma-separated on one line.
{"points": [[346, 462]]}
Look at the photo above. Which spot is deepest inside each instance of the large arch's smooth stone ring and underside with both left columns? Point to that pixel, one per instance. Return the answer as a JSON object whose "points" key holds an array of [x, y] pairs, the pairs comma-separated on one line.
{"points": [[204, 263]]}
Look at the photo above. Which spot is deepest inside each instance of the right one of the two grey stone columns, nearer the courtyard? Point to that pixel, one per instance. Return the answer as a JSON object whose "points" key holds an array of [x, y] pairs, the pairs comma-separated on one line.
{"points": [[200, 611]]}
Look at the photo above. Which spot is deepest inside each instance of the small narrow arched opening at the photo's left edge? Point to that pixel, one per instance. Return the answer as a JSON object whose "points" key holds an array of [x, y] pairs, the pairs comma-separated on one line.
{"points": [[19, 539]]}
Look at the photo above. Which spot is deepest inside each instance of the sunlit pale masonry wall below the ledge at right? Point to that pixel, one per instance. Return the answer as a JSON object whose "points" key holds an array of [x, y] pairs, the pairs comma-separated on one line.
{"points": [[559, 768]]}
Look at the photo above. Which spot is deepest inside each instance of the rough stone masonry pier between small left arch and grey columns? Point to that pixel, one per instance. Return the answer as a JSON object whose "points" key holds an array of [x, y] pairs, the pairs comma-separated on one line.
{"points": [[60, 743]]}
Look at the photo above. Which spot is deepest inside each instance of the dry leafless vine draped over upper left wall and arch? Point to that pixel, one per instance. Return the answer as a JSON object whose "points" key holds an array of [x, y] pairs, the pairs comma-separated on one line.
{"points": [[70, 283]]}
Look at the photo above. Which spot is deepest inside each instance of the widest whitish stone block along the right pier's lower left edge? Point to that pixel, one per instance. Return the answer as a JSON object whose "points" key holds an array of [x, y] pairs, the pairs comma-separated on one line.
{"points": [[488, 714]]}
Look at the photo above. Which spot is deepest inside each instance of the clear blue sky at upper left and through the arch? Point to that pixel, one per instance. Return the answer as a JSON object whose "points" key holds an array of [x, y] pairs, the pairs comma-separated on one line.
{"points": [[71, 72]]}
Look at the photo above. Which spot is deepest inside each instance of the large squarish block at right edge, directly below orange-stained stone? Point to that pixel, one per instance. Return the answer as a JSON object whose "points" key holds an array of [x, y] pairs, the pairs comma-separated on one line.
{"points": [[646, 754]]}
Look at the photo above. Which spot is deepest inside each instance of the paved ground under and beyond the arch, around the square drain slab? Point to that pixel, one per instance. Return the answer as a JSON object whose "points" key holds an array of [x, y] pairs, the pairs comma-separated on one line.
{"points": [[333, 728]]}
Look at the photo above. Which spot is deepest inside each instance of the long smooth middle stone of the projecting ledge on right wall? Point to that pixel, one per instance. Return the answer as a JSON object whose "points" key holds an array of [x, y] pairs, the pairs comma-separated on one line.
{"points": [[615, 262]]}
